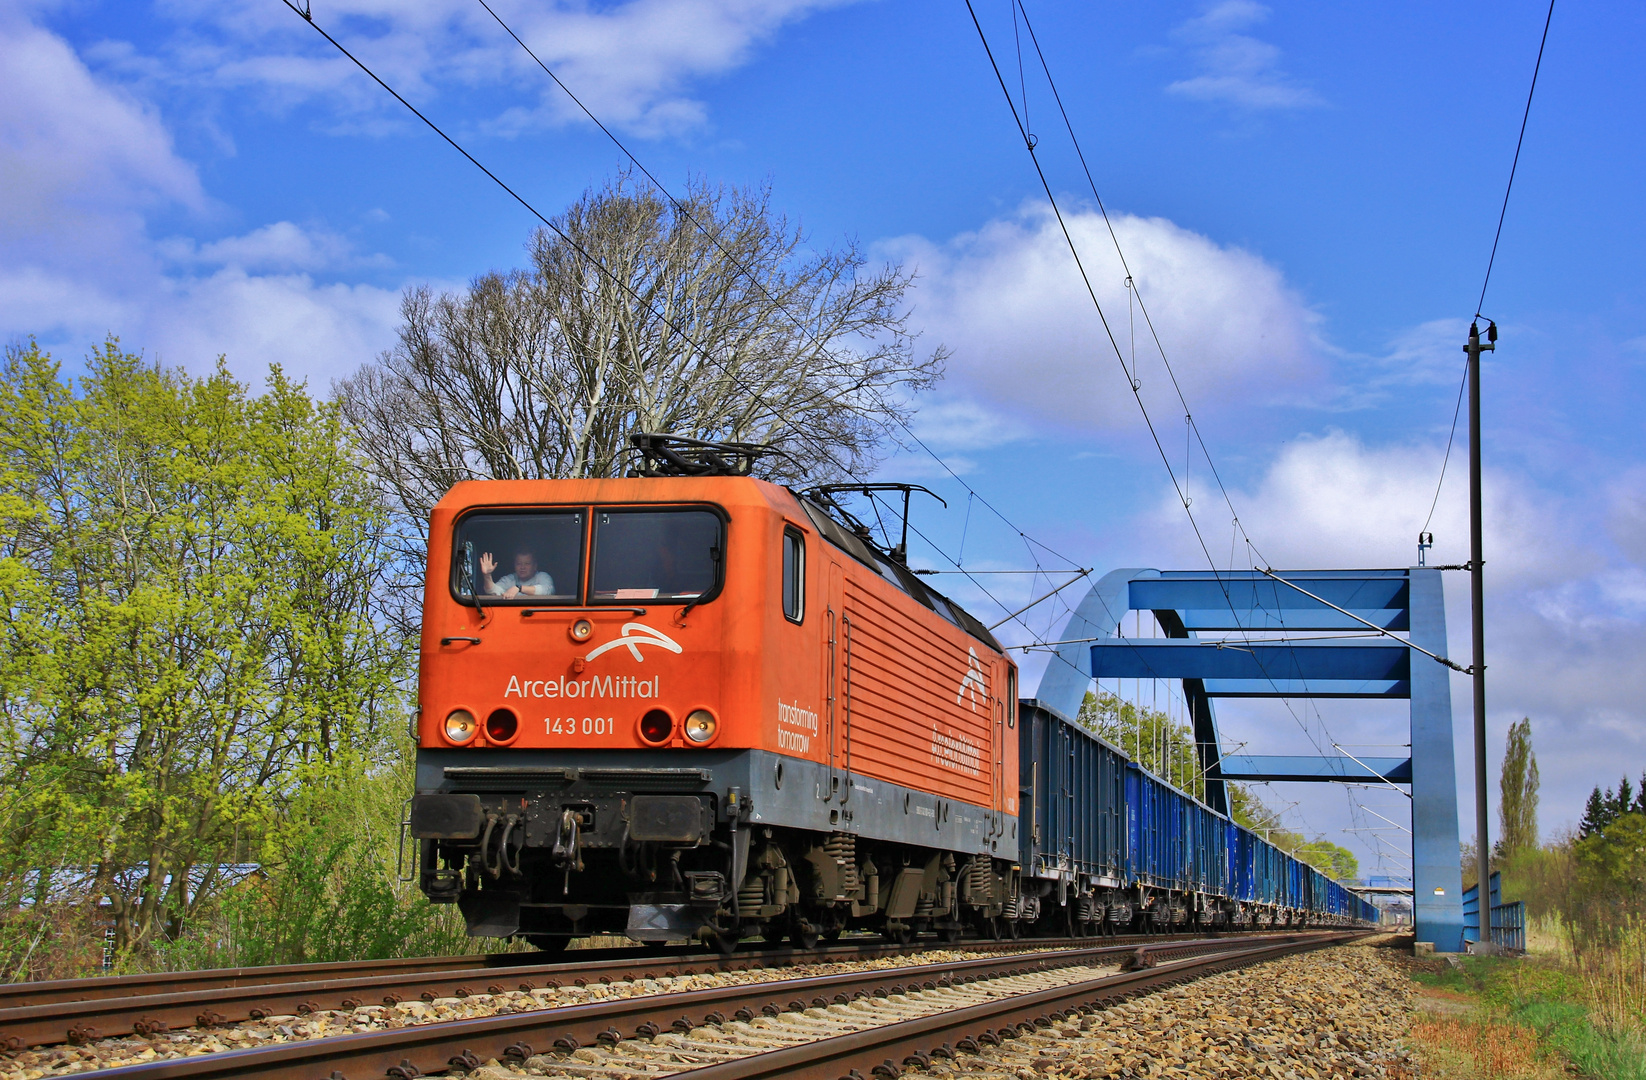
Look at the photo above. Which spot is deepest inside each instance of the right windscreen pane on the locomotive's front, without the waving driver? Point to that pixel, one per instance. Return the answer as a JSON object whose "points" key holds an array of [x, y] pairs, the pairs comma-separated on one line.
{"points": [[656, 556]]}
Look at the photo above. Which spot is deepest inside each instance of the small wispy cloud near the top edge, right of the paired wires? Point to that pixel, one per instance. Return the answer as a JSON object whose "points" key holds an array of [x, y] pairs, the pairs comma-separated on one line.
{"points": [[1237, 68]]}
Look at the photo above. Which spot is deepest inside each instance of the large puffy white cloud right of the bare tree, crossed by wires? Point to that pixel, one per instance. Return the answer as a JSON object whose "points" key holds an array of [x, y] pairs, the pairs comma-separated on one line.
{"points": [[1011, 304]]}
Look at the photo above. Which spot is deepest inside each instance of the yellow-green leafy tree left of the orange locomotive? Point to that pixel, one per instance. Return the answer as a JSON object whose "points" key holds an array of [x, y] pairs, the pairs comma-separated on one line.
{"points": [[187, 635]]}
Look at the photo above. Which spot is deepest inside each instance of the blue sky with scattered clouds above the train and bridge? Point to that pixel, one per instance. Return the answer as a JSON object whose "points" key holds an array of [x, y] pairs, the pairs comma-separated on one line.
{"points": [[1306, 195]]}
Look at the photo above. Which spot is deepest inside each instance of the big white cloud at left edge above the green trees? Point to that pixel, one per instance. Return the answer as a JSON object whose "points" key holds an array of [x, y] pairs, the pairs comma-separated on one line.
{"points": [[83, 165]]}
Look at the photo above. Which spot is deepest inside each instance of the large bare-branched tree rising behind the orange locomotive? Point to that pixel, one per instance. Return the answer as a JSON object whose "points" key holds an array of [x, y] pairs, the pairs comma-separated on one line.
{"points": [[709, 319]]}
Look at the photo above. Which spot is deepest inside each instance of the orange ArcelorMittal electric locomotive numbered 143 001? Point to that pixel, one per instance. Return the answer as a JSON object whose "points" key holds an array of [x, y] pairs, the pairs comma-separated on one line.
{"points": [[684, 707]]}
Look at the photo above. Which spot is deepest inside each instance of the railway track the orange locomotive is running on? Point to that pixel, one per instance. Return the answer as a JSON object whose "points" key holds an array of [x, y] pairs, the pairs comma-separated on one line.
{"points": [[81, 1012]]}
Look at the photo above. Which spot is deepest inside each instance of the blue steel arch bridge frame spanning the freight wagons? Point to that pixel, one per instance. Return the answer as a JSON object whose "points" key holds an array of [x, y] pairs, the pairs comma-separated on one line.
{"points": [[1253, 656]]}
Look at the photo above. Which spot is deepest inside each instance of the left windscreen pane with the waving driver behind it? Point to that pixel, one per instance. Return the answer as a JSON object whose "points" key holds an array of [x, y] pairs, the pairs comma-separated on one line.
{"points": [[531, 559]]}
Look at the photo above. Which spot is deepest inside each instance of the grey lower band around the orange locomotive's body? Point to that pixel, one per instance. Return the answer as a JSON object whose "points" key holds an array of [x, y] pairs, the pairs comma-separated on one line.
{"points": [[771, 789]]}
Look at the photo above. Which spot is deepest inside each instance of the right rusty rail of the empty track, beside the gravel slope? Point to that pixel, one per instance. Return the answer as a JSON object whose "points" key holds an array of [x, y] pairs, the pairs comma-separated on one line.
{"points": [[890, 1050]]}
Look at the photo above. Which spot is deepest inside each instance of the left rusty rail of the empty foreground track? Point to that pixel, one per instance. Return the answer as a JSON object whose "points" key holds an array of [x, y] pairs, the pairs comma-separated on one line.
{"points": [[518, 1036]]}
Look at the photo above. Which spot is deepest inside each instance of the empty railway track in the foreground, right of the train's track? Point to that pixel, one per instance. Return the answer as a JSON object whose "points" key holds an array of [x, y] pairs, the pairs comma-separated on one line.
{"points": [[819, 1026]]}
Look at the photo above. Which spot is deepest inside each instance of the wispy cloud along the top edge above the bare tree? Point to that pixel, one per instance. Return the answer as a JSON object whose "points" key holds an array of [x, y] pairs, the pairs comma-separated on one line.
{"points": [[630, 62]]}
